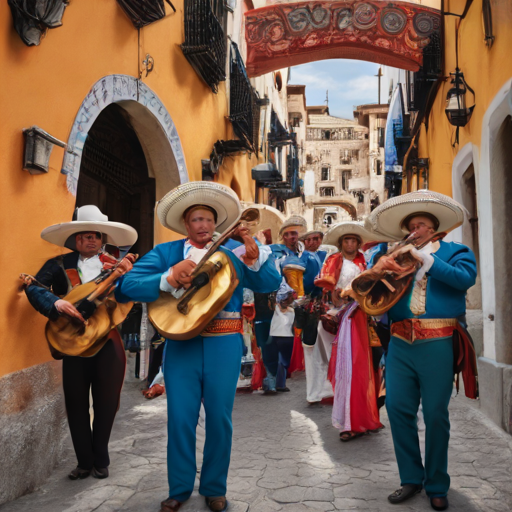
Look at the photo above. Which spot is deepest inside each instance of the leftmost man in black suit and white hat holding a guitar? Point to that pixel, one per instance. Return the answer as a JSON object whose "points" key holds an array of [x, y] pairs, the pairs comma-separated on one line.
{"points": [[102, 373]]}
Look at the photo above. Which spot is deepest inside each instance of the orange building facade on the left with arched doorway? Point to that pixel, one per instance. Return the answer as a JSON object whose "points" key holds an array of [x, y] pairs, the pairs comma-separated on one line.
{"points": [[115, 110]]}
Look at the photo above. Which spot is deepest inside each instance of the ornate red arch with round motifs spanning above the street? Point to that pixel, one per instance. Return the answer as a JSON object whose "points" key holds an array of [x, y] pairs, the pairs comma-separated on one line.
{"points": [[288, 34]]}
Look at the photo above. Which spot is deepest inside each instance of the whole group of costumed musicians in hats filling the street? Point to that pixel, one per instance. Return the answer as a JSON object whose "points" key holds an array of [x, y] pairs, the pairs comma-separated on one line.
{"points": [[373, 313]]}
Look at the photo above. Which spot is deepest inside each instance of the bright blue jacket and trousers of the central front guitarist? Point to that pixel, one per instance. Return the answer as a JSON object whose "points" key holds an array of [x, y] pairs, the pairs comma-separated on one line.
{"points": [[203, 368]]}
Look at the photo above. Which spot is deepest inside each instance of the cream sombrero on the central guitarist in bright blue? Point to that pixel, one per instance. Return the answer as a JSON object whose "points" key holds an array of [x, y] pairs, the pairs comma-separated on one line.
{"points": [[222, 199]]}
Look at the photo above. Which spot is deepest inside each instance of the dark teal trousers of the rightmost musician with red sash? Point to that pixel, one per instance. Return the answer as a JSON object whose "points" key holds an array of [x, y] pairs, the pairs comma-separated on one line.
{"points": [[425, 371]]}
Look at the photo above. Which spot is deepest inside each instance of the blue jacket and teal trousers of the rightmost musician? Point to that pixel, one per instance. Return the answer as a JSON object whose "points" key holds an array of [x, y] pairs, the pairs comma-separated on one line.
{"points": [[424, 369]]}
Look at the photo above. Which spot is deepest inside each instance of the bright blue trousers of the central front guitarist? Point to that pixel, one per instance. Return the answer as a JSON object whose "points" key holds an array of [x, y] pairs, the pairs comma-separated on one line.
{"points": [[203, 368]]}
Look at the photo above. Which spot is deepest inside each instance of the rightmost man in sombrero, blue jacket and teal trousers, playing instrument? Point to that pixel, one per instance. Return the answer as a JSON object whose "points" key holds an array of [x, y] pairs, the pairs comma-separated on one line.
{"points": [[427, 336]]}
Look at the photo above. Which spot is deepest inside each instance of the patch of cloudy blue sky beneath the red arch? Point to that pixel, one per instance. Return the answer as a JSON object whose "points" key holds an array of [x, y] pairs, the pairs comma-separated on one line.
{"points": [[350, 82]]}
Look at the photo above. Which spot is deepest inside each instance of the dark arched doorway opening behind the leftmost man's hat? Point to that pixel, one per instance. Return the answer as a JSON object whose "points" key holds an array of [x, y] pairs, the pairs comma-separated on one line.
{"points": [[114, 175]]}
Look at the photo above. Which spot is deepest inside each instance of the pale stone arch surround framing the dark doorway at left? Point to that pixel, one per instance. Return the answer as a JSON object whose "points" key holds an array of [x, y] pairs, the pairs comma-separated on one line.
{"points": [[150, 120]]}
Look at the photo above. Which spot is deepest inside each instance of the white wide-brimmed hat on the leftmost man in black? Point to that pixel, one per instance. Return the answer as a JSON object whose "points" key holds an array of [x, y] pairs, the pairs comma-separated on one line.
{"points": [[90, 218]]}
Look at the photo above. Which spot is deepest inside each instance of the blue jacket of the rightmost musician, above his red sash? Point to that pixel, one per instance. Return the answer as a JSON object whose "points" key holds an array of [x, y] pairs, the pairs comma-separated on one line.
{"points": [[453, 272]]}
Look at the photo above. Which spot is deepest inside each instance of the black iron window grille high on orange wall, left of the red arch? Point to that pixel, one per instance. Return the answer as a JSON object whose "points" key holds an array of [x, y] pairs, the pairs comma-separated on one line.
{"points": [[205, 42]]}
